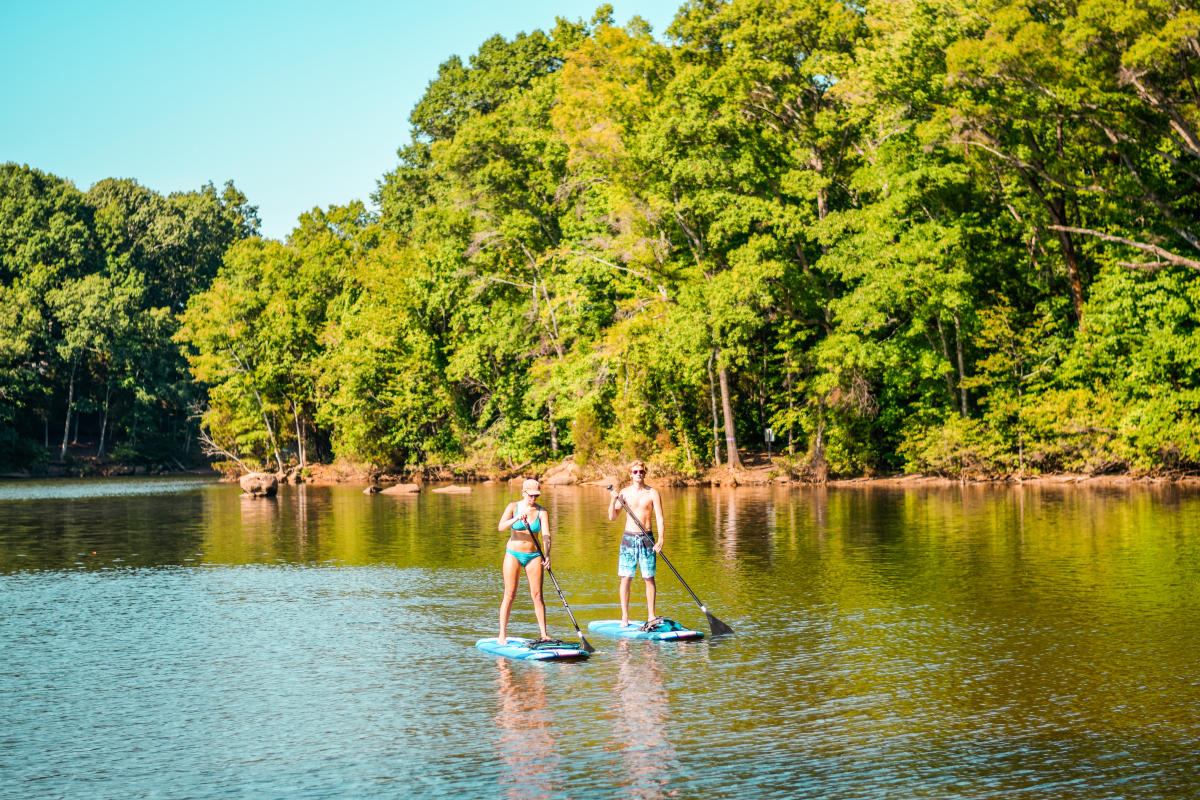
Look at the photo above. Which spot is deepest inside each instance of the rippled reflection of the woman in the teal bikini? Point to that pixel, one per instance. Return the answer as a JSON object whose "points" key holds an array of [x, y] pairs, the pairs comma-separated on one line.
{"points": [[526, 724]]}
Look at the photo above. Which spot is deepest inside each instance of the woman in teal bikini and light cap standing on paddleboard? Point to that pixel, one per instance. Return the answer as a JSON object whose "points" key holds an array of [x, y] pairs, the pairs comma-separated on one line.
{"points": [[520, 519]]}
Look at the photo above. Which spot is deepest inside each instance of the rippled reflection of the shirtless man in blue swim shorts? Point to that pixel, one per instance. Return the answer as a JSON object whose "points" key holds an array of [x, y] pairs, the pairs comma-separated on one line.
{"points": [[639, 721]]}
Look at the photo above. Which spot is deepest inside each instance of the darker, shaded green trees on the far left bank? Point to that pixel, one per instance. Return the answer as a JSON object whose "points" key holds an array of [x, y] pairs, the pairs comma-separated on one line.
{"points": [[92, 288]]}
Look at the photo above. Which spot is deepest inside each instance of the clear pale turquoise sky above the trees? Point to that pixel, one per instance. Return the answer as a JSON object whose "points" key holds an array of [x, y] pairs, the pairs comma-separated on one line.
{"points": [[301, 104]]}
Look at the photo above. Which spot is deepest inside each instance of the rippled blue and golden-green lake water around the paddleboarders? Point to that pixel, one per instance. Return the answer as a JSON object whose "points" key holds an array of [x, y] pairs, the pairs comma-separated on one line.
{"points": [[167, 639]]}
